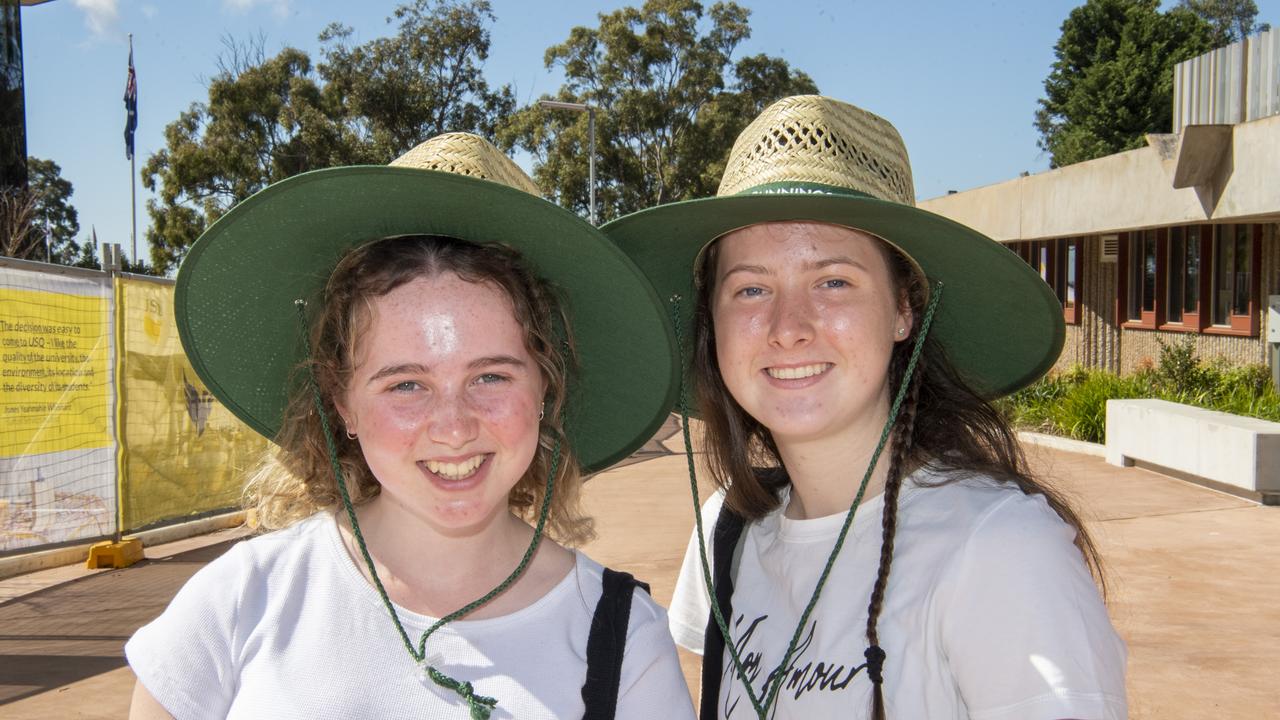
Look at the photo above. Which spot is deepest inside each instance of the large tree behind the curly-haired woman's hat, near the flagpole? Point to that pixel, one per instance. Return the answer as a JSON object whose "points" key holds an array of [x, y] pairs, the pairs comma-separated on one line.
{"points": [[269, 119]]}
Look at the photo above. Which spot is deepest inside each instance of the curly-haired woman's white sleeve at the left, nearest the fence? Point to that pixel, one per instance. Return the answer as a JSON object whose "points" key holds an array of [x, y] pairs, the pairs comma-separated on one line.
{"points": [[186, 657]]}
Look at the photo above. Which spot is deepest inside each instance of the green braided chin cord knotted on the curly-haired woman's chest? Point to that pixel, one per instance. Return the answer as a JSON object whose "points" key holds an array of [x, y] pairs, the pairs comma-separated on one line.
{"points": [[481, 707]]}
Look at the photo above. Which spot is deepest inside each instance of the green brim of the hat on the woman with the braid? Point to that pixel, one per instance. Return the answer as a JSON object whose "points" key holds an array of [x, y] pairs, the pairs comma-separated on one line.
{"points": [[998, 321]]}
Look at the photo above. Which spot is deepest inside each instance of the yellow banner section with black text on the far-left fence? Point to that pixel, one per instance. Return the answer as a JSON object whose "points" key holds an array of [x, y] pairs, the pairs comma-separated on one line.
{"points": [[56, 388]]}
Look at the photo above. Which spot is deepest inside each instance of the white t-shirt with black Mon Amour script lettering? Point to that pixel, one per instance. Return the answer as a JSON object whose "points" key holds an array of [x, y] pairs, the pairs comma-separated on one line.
{"points": [[990, 612]]}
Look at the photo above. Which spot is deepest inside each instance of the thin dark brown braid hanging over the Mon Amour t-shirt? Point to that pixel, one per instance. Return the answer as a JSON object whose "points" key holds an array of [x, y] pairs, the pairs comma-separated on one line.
{"points": [[898, 471]]}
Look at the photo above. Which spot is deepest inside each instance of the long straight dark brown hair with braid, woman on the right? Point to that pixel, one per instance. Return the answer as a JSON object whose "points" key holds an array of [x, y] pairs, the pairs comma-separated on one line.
{"points": [[943, 425]]}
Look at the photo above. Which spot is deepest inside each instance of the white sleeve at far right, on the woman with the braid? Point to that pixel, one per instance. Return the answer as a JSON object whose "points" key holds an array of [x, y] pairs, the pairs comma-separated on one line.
{"points": [[1025, 628]]}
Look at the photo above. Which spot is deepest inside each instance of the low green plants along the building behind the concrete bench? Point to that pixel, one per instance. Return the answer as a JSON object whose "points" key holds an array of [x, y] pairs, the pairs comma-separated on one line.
{"points": [[1073, 404]]}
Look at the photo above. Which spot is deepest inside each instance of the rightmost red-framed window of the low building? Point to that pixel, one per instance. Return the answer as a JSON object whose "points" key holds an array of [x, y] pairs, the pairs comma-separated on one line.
{"points": [[1235, 281]]}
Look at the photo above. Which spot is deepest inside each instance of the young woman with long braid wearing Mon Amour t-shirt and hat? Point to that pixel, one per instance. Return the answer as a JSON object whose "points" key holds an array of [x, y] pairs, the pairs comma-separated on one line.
{"points": [[879, 546]]}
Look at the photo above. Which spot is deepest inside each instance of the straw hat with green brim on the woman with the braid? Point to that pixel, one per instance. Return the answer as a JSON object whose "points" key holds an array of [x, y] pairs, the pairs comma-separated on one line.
{"points": [[812, 158]]}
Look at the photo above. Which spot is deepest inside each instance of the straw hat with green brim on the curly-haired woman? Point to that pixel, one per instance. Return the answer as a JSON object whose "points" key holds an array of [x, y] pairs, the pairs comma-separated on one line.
{"points": [[237, 289]]}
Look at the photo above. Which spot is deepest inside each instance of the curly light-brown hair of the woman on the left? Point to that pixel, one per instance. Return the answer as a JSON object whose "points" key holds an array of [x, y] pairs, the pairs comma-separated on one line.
{"points": [[298, 480]]}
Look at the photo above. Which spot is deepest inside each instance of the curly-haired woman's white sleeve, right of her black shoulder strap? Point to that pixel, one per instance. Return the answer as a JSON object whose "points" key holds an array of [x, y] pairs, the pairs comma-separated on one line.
{"points": [[652, 683]]}
